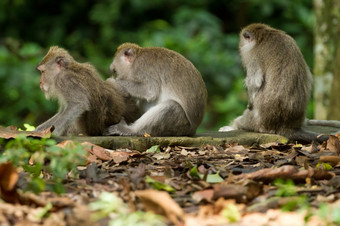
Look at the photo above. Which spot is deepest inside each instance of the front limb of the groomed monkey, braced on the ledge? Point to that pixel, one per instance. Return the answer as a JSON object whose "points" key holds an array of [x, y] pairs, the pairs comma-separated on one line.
{"points": [[62, 120]]}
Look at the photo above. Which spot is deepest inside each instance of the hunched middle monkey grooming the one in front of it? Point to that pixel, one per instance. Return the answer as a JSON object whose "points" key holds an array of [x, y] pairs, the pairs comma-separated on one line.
{"points": [[170, 91]]}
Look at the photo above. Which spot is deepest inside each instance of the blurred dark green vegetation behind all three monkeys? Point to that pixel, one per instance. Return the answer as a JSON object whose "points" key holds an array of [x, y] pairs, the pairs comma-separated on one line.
{"points": [[204, 31]]}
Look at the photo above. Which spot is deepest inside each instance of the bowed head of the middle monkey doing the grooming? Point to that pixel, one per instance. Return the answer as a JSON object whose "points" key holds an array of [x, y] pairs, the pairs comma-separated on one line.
{"points": [[124, 58]]}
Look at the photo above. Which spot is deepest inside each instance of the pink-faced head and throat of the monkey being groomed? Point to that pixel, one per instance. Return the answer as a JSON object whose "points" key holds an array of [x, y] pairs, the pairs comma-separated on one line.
{"points": [[56, 60]]}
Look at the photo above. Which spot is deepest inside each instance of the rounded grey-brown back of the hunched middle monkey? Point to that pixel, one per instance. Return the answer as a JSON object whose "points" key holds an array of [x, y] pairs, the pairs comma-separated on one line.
{"points": [[181, 79]]}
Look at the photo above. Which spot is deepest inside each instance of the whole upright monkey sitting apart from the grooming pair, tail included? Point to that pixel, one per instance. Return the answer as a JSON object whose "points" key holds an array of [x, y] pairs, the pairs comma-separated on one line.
{"points": [[279, 84]]}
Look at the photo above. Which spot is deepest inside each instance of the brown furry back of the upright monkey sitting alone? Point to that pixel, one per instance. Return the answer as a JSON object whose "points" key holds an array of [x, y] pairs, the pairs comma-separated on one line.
{"points": [[283, 99]]}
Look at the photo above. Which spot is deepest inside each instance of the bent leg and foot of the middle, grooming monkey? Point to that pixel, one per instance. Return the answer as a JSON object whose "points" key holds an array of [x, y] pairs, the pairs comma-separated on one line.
{"points": [[164, 119]]}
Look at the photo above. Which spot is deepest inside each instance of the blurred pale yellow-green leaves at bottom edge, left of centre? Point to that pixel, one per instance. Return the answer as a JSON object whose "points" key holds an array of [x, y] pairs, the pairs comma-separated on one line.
{"points": [[110, 205]]}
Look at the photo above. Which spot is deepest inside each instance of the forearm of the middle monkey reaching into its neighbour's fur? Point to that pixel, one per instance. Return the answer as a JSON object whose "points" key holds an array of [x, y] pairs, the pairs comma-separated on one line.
{"points": [[148, 91]]}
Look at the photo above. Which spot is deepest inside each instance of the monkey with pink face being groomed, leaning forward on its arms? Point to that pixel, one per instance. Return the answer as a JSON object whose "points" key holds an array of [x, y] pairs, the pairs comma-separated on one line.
{"points": [[88, 104]]}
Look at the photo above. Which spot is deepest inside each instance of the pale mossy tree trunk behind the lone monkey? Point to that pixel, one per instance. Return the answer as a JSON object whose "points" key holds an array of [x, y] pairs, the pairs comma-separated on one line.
{"points": [[327, 59]]}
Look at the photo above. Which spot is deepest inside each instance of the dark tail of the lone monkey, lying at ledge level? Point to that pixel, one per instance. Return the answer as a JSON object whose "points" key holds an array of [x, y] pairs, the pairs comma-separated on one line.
{"points": [[304, 136]]}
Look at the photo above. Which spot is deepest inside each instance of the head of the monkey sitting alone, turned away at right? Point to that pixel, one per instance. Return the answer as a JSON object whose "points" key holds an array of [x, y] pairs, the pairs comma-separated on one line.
{"points": [[253, 35]]}
